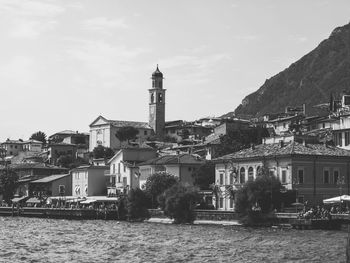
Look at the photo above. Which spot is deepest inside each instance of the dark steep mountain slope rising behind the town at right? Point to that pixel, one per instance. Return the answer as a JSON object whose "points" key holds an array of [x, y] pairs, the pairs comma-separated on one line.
{"points": [[310, 80]]}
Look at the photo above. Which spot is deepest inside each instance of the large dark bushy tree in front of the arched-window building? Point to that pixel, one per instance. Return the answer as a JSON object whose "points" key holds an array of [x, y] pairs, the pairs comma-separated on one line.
{"points": [[256, 199]]}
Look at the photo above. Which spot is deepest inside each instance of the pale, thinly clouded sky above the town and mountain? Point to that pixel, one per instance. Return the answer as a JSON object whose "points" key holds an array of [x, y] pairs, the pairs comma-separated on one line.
{"points": [[65, 62]]}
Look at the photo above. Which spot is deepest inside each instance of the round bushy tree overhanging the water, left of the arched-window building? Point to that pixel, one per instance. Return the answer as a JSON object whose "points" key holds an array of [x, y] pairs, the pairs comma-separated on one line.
{"points": [[179, 202]]}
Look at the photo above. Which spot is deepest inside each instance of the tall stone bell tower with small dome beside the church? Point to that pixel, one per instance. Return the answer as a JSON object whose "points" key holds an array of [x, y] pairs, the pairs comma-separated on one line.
{"points": [[157, 104]]}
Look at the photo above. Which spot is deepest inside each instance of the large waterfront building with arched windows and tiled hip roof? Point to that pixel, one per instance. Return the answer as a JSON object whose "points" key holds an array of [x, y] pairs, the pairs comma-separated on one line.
{"points": [[314, 171]]}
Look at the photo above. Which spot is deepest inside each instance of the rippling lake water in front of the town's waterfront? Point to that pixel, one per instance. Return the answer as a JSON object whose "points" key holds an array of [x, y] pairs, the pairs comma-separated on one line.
{"points": [[50, 240]]}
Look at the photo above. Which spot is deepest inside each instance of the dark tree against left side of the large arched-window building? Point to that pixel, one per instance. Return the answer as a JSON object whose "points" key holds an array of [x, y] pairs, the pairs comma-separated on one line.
{"points": [[204, 176]]}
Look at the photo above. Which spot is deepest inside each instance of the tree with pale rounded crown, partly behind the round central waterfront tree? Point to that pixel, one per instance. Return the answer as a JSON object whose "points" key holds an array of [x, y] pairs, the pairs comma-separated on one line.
{"points": [[157, 183]]}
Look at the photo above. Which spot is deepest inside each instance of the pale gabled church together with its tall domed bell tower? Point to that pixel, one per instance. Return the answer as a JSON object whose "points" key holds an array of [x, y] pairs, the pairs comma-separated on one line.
{"points": [[102, 130]]}
